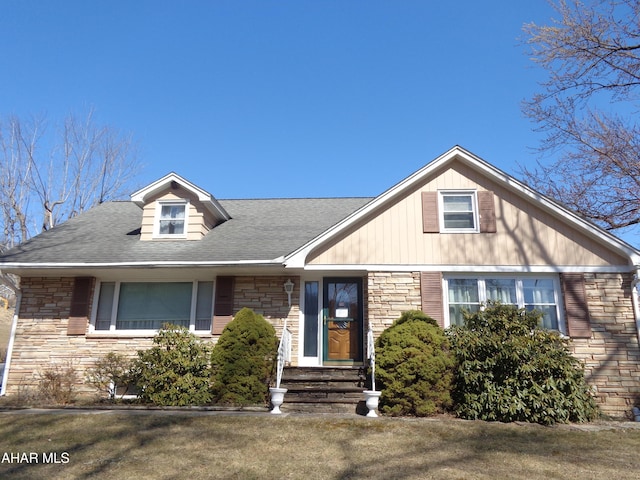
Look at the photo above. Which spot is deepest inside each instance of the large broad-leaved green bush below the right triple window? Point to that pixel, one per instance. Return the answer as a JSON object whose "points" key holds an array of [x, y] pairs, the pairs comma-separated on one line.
{"points": [[509, 369]]}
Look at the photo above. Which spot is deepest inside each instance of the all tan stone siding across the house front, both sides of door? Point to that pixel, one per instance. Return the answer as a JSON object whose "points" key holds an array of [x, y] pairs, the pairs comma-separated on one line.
{"points": [[611, 356]]}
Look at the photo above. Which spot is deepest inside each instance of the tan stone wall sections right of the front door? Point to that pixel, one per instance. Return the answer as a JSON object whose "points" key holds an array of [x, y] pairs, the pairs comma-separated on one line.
{"points": [[611, 356]]}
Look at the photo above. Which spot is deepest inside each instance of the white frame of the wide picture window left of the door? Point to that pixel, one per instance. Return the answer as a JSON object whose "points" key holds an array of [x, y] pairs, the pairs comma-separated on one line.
{"points": [[144, 332]]}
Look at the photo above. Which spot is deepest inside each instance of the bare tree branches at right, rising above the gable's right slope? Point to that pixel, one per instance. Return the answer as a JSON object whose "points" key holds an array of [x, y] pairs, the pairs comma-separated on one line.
{"points": [[587, 108]]}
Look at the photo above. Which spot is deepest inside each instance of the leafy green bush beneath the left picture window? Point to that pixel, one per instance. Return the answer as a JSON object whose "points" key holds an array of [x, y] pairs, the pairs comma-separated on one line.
{"points": [[175, 371]]}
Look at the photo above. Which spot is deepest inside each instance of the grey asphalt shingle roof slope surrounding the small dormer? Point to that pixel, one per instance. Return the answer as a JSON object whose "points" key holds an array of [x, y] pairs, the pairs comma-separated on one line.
{"points": [[261, 229]]}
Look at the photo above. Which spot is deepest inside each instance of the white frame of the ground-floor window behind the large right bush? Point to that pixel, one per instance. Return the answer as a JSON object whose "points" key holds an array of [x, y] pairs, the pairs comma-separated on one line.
{"points": [[482, 293]]}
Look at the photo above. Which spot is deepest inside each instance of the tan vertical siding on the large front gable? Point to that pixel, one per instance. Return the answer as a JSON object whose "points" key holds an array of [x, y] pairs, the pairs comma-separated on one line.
{"points": [[525, 234]]}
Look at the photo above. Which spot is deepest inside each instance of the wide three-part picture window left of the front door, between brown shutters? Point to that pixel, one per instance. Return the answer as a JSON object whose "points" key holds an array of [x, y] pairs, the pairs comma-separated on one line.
{"points": [[148, 305]]}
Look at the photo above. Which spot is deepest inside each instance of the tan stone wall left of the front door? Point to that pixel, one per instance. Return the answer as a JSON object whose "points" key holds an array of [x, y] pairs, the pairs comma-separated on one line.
{"points": [[42, 342]]}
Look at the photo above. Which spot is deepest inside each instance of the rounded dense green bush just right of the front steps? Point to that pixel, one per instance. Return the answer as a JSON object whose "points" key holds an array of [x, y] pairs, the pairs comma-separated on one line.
{"points": [[414, 367]]}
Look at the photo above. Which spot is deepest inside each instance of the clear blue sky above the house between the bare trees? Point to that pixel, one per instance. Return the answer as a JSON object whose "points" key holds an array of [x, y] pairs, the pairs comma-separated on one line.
{"points": [[281, 98]]}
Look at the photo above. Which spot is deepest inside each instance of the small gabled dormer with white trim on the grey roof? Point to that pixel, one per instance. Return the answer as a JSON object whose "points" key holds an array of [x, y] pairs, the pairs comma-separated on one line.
{"points": [[175, 209]]}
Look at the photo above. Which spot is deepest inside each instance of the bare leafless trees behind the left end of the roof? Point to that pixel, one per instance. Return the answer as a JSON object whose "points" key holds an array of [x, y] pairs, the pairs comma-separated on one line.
{"points": [[52, 176]]}
